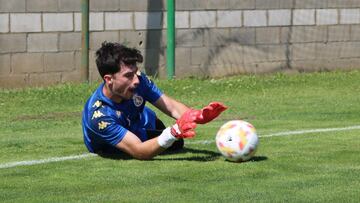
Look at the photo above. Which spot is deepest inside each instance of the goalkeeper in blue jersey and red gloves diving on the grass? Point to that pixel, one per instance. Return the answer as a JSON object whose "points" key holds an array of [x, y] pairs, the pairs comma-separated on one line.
{"points": [[115, 118]]}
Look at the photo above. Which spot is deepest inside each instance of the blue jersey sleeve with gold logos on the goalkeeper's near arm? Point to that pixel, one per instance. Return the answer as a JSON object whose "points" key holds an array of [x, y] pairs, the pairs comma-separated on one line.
{"points": [[106, 128]]}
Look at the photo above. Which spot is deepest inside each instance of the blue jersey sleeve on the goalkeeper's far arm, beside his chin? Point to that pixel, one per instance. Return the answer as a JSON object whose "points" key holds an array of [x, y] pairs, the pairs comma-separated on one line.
{"points": [[151, 91]]}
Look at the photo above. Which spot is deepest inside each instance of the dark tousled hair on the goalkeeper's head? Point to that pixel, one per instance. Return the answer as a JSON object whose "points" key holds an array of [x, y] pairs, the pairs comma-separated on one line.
{"points": [[110, 55]]}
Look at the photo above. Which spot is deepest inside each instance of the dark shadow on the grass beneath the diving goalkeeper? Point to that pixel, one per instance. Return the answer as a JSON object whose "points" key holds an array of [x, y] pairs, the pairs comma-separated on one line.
{"points": [[196, 155]]}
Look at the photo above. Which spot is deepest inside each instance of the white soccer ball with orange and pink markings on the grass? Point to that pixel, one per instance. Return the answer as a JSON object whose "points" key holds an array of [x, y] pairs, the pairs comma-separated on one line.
{"points": [[237, 140]]}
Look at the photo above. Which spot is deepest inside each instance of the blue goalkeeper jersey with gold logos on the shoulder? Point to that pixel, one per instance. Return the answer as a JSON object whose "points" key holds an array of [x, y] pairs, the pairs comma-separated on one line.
{"points": [[105, 122]]}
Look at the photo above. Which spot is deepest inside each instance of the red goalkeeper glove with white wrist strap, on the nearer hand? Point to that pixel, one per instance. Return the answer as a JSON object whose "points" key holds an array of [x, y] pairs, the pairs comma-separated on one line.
{"points": [[185, 125]]}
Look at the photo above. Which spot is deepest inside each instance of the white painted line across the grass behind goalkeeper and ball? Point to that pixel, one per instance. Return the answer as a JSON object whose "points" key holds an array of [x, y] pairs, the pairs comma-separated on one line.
{"points": [[57, 159]]}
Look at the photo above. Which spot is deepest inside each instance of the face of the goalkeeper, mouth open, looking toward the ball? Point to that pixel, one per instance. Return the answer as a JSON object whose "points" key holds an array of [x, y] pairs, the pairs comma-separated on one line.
{"points": [[123, 83]]}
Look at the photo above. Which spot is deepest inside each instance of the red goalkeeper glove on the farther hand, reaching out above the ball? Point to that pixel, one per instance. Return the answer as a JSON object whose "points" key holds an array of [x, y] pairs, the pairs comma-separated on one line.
{"points": [[210, 112]]}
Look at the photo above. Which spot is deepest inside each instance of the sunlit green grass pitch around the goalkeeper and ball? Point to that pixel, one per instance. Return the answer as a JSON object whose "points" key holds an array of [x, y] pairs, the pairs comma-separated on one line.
{"points": [[41, 123]]}
